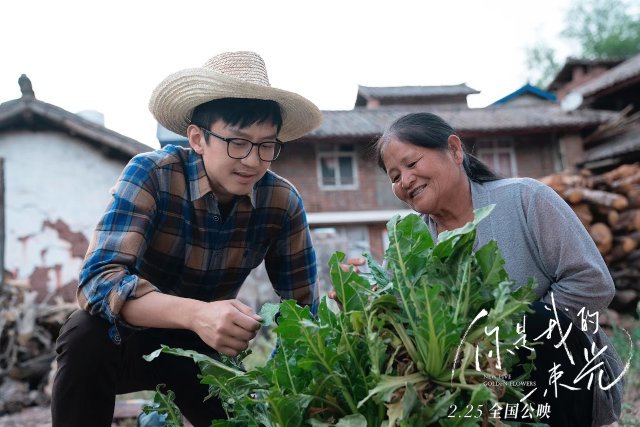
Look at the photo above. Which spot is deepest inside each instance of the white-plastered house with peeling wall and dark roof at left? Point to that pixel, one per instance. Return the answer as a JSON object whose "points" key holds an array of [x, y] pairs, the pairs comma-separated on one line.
{"points": [[58, 168]]}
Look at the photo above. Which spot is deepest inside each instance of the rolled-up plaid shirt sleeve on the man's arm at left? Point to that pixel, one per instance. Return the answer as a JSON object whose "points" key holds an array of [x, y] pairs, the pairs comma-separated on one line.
{"points": [[108, 277]]}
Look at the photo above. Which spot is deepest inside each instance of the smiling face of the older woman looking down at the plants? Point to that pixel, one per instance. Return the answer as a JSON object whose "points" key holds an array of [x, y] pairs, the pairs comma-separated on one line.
{"points": [[425, 179]]}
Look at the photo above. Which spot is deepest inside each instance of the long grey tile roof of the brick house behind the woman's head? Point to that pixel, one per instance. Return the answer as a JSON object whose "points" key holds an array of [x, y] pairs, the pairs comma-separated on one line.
{"points": [[362, 122]]}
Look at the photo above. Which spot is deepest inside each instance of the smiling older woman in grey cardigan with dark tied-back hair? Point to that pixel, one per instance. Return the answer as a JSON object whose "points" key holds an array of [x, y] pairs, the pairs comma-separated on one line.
{"points": [[539, 236]]}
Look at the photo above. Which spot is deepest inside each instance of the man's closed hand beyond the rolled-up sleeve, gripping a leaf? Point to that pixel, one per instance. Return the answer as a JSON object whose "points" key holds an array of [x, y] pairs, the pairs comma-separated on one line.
{"points": [[227, 326]]}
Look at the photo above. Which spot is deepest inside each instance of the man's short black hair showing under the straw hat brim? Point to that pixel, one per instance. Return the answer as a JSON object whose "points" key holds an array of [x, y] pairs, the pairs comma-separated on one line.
{"points": [[240, 112]]}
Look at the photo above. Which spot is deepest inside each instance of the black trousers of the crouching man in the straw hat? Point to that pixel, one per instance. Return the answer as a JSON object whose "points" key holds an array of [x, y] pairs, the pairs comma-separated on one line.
{"points": [[92, 369]]}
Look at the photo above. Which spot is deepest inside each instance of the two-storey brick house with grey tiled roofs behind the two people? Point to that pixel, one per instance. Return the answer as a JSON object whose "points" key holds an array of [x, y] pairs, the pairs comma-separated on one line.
{"points": [[349, 199]]}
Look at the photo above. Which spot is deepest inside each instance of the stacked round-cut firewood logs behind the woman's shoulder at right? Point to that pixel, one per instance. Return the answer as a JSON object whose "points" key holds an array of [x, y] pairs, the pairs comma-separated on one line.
{"points": [[608, 205]]}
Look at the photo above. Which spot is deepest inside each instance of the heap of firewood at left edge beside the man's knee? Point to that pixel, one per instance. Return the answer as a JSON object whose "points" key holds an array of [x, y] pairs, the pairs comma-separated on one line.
{"points": [[28, 330]]}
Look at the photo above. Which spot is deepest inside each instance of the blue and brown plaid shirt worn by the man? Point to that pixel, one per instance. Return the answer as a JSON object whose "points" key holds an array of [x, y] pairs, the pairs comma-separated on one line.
{"points": [[162, 231]]}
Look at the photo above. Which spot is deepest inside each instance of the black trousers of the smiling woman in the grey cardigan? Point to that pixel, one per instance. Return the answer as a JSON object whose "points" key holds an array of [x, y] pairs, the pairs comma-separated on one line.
{"points": [[569, 407]]}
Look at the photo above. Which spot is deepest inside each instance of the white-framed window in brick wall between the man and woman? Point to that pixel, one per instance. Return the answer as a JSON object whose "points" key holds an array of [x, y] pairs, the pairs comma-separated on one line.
{"points": [[337, 167]]}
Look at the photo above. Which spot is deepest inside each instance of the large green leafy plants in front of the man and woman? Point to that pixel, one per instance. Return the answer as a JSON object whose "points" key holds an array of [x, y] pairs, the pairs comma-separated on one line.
{"points": [[411, 350]]}
